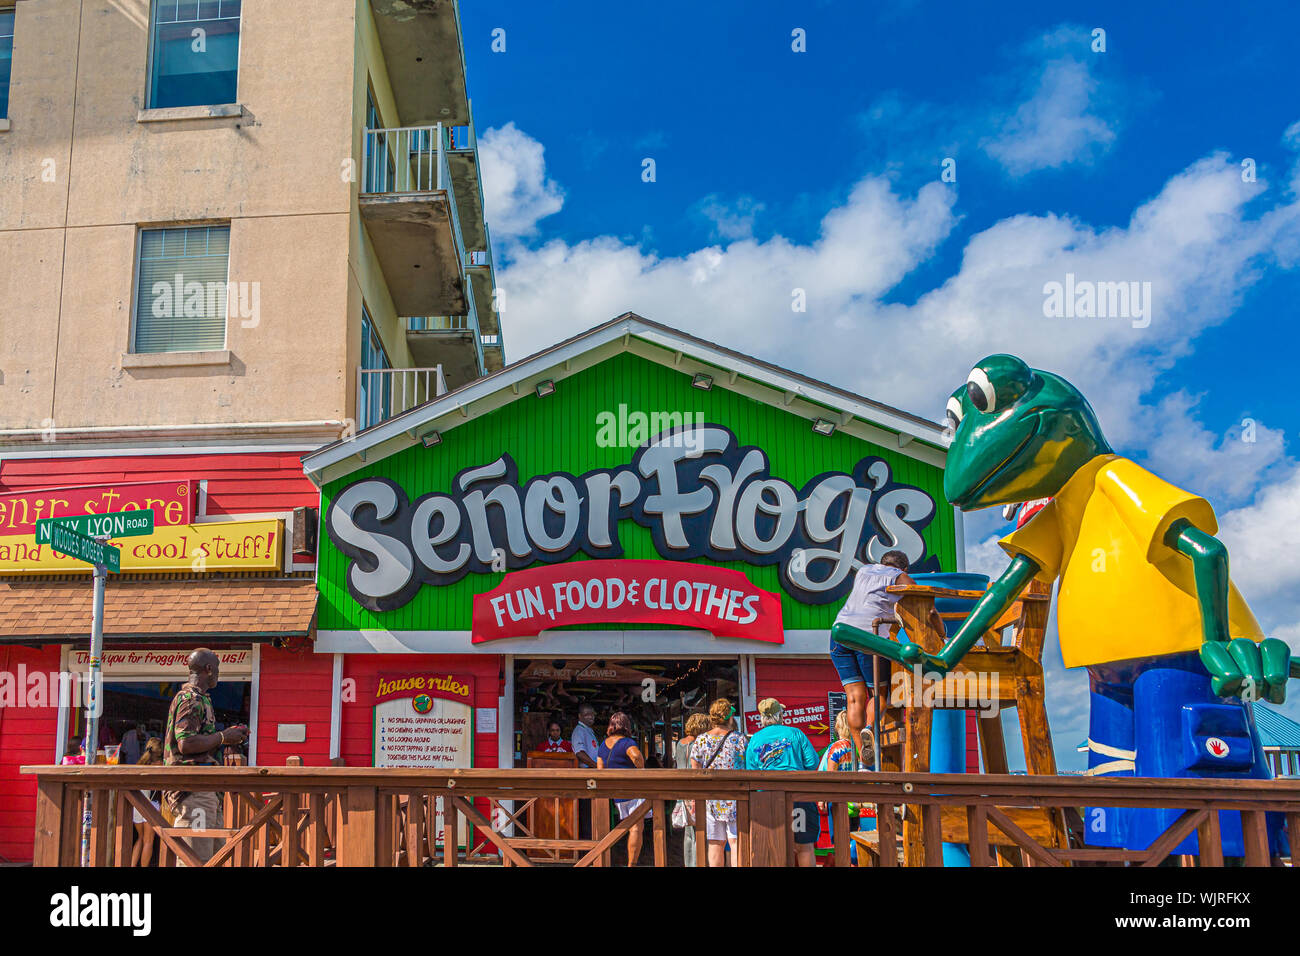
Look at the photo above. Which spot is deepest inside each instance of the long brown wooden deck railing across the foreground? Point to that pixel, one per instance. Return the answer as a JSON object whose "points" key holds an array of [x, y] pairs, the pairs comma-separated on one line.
{"points": [[367, 817]]}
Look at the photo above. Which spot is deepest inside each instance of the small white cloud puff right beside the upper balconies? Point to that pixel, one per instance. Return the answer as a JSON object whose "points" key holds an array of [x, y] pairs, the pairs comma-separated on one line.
{"points": [[517, 191]]}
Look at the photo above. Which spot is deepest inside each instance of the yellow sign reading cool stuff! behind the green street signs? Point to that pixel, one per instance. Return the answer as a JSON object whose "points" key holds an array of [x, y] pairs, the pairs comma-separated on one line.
{"points": [[214, 547]]}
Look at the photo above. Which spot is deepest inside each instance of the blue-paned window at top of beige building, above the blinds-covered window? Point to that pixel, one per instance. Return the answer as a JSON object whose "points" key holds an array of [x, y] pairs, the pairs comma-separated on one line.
{"points": [[194, 57]]}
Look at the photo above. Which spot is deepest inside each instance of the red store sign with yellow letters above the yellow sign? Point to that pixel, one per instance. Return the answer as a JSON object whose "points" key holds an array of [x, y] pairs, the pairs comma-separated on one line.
{"points": [[172, 503]]}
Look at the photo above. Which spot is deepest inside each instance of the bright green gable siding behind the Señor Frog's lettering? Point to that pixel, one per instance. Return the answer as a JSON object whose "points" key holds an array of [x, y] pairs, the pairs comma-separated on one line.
{"points": [[569, 432]]}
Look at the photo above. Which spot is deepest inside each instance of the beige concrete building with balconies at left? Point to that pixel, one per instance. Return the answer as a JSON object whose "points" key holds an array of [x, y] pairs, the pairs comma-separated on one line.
{"points": [[227, 220]]}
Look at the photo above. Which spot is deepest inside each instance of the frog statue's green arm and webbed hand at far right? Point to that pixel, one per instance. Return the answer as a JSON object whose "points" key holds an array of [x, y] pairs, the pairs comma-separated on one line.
{"points": [[1238, 668]]}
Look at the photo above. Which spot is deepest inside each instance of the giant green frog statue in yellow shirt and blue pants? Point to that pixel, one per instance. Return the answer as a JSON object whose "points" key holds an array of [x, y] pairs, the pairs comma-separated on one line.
{"points": [[1173, 652]]}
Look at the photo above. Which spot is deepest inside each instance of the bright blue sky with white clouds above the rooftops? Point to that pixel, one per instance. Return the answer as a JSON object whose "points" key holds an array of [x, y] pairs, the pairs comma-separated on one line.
{"points": [[821, 171]]}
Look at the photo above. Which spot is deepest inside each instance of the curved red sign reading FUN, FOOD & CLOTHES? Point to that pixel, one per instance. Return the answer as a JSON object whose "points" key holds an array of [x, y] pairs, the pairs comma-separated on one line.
{"points": [[629, 592]]}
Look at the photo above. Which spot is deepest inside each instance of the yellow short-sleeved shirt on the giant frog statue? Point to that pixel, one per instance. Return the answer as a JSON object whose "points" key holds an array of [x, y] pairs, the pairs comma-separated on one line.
{"points": [[1124, 592]]}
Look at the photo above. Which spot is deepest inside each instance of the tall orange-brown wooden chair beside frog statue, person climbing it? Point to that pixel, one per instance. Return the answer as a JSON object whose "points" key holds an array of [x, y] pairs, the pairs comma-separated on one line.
{"points": [[1016, 660]]}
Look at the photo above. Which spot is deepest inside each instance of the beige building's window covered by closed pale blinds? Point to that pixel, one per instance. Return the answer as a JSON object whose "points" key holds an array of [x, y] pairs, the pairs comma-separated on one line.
{"points": [[181, 291]]}
